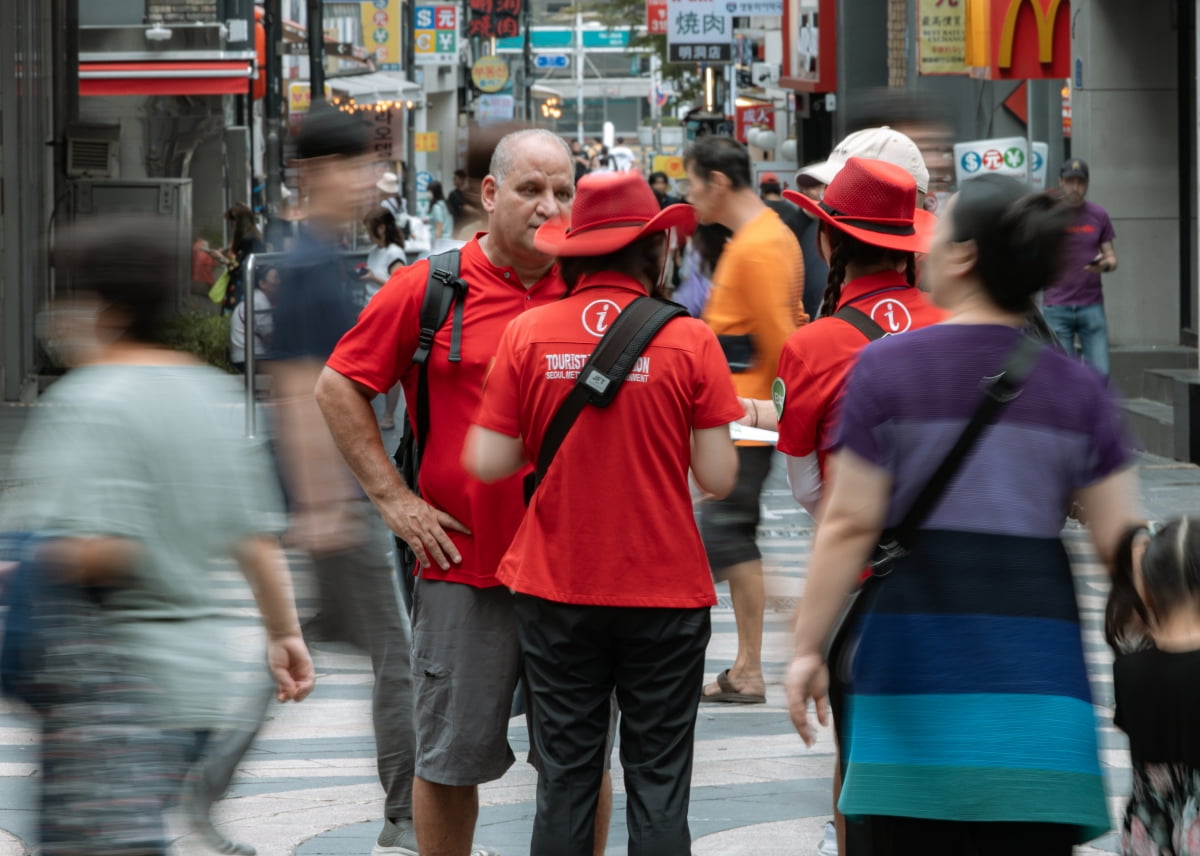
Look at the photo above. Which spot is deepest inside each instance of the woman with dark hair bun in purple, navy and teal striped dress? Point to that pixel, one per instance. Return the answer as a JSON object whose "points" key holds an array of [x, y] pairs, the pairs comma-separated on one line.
{"points": [[976, 627]]}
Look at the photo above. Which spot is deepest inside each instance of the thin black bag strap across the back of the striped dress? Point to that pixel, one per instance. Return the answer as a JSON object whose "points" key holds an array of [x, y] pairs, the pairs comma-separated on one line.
{"points": [[999, 391]]}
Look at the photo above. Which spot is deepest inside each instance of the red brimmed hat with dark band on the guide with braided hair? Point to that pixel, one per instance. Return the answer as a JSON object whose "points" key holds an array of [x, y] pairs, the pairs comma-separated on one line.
{"points": [[877, 203]]}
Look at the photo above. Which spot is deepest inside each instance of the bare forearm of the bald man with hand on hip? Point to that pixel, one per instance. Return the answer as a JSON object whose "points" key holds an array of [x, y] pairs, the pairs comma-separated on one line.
{"points": [[351, 420]]}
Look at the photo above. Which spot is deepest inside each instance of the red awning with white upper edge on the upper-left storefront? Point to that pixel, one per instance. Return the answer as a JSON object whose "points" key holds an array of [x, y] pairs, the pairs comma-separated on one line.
{"points": [[214, 77]]}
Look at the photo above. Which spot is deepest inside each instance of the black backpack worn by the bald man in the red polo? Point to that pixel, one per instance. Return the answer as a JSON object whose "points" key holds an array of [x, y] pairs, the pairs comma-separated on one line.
{"points": [[445, 290]]}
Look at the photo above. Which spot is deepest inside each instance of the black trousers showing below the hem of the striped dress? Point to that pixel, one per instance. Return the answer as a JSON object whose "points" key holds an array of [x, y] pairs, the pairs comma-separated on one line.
{"points": [[907, 836]]}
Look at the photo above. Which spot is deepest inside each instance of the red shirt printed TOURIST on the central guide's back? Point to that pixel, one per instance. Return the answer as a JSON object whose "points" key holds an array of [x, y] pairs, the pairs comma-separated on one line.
{"points": [[613, 523]]}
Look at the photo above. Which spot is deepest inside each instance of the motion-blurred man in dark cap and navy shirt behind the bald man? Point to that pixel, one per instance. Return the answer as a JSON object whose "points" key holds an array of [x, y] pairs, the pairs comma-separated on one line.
{"points": [[350, 547]]}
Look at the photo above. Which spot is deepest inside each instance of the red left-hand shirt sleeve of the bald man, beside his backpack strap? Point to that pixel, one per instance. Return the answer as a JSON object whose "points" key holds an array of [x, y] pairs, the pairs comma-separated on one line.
{"points": [[379, 350]]}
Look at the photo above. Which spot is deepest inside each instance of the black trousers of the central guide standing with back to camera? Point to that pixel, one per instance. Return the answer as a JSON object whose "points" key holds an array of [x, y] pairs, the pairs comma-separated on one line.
{"points": [[573, 660]]}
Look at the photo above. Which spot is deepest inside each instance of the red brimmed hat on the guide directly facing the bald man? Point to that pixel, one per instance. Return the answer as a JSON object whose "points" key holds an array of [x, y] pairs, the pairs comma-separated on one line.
{"points": [[611, 211]]}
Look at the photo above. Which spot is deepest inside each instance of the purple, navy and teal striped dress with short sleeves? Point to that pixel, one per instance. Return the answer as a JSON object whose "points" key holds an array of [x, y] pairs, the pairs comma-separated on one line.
{"points": [[969, 690]]}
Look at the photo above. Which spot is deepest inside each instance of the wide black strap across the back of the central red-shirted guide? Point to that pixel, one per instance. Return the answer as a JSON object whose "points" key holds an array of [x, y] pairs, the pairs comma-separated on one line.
{"points": [[603, 375]]}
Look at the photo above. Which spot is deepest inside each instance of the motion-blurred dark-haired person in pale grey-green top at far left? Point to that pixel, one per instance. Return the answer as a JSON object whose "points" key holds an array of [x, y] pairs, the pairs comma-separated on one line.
{"points": [[146, 489]]}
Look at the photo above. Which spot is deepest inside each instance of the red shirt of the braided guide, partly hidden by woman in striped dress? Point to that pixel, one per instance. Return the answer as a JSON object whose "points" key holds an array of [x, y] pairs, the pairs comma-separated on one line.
{"points": [[818, 358]]}
